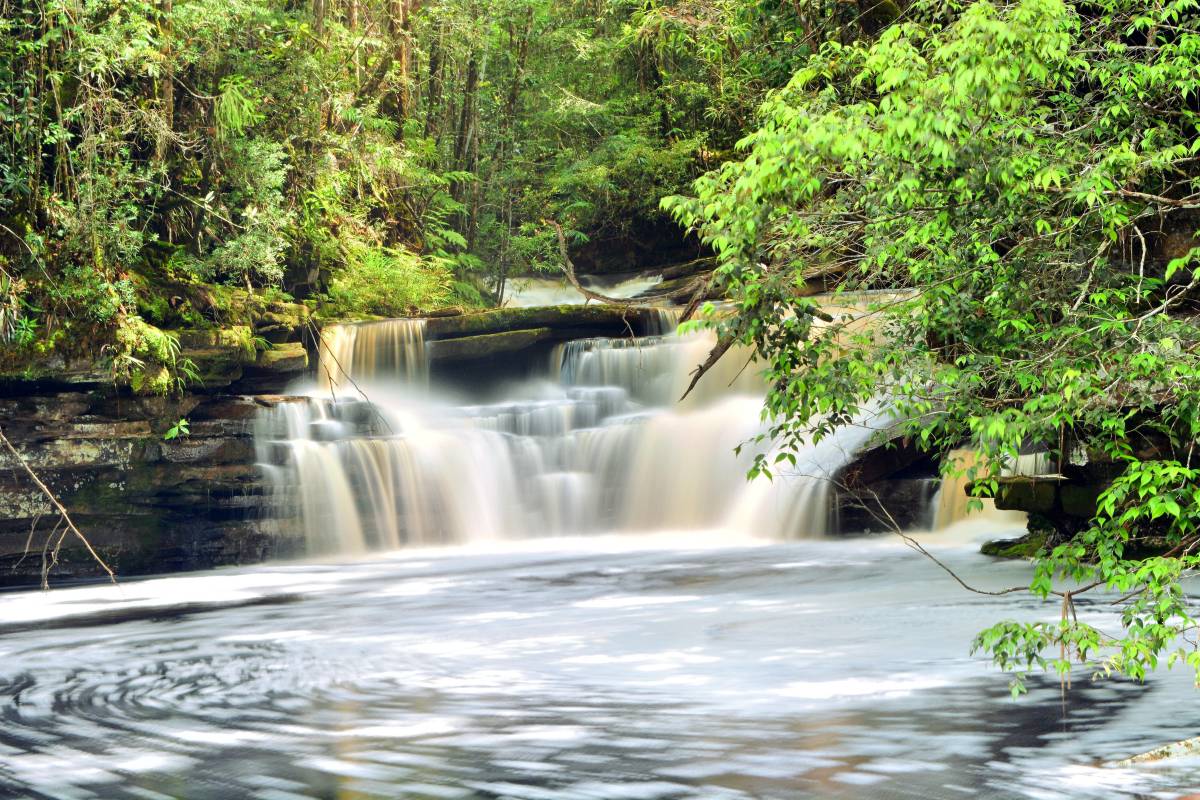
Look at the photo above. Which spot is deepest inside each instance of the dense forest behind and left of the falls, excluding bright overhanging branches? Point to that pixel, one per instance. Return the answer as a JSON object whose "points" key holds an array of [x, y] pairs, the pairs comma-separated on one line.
{"points": [[169, 165]]}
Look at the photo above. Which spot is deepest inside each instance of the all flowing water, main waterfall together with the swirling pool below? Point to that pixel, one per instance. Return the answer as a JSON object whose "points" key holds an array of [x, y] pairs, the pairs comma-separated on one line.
{"points": [[559, 590]]}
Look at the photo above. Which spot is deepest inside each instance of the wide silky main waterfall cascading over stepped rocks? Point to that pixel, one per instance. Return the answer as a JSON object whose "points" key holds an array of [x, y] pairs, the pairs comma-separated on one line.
{"points": [[599, 443]]}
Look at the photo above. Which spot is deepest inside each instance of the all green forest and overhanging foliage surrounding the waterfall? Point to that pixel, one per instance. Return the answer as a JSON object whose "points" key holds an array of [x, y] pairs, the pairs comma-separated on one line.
{"points": [[1017, 181]]}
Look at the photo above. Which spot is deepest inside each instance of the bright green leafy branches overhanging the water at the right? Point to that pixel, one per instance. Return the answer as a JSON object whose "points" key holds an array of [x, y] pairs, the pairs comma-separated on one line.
{"points": [[1019, 178]]}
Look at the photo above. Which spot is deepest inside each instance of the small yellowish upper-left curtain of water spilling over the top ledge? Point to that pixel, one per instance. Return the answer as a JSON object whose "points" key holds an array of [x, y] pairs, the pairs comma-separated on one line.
{"points": [[363, 352]]}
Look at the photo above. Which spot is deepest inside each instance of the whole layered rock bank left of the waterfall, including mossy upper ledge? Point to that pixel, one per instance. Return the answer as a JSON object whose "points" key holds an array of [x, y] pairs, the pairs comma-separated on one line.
{"points": [[146, 503]]}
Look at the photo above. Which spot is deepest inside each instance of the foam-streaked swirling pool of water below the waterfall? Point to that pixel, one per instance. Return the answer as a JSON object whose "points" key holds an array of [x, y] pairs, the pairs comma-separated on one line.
{"points": [[643, 667]]}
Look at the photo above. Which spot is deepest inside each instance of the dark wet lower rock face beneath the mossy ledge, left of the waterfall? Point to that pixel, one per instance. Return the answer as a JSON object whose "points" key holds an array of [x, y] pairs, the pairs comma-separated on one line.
{"points": [[148, 506]]}
